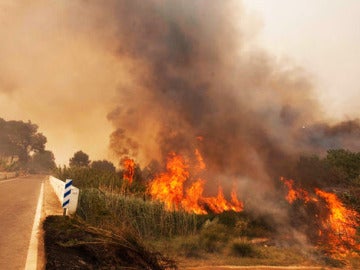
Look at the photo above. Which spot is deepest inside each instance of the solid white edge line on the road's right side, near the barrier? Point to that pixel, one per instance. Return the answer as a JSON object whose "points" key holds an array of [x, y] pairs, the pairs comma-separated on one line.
{"points": [[31, 259]]}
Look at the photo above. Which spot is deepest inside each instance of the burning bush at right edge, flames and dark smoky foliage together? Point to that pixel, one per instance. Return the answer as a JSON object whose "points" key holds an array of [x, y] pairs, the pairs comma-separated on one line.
{"points": [[324, 218]]}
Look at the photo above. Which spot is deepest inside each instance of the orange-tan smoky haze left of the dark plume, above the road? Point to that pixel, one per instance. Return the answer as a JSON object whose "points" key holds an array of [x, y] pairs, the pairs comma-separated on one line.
{"points": [[53, 74]]}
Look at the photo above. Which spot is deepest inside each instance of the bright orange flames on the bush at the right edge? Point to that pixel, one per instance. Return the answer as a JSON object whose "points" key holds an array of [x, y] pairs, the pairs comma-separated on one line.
{"points": [[337, 229]]}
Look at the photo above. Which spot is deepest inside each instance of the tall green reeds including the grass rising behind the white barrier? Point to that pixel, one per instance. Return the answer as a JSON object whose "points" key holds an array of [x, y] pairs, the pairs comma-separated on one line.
{"points": [[104, 202]]}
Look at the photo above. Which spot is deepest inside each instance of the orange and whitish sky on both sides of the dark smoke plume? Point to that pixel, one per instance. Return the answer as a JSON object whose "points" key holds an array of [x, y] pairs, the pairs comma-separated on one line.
{"points": [[42, 70]]}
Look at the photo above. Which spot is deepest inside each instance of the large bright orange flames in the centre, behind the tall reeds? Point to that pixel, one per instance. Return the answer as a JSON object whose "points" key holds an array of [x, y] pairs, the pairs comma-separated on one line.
{"points": [[178, 190]]}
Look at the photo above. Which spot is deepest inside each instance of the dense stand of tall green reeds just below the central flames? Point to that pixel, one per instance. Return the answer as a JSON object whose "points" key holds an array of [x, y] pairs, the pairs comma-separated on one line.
{"points": [[148, 218]]}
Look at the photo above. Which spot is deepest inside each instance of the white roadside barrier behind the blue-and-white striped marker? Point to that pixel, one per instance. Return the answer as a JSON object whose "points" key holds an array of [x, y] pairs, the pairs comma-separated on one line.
{"points": [[59, 188]]}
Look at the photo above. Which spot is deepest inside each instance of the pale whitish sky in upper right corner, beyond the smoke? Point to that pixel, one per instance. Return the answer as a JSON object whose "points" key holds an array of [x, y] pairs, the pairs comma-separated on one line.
{"points": [[322, 36]]}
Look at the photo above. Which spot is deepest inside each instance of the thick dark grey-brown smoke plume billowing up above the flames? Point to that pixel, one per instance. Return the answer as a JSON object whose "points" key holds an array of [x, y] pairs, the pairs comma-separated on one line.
{"points": [[194, 76]]}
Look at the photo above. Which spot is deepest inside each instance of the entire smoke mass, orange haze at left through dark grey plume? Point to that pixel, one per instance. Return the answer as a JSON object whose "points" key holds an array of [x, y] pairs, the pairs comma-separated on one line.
{"points": [[169, 76]]}
